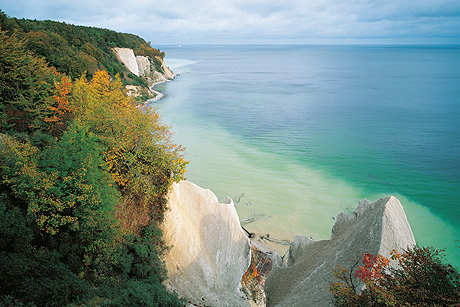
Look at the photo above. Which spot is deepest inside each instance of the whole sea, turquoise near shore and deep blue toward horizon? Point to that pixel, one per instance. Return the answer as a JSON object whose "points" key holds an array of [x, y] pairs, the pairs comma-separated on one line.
{"points": [[305, 132]]}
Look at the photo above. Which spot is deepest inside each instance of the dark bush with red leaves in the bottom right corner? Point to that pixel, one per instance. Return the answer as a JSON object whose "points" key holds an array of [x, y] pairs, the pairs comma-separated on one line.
{"points": [[419, 278]]}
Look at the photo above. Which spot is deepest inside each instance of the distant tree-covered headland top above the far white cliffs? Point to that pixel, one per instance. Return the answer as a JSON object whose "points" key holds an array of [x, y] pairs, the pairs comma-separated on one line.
{"points": [[74, 50]]}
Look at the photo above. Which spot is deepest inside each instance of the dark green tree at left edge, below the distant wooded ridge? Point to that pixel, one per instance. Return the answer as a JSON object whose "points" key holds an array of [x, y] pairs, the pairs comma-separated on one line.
{"points": [[26, 85]]}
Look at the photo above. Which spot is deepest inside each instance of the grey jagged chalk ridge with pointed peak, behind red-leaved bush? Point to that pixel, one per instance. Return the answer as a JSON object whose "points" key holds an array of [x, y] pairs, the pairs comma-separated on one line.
{"points": [[375, 228]]}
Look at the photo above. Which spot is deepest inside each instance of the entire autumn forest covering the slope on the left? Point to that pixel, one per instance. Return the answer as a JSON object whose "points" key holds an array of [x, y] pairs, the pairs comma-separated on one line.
{"points": [[83, 171]]}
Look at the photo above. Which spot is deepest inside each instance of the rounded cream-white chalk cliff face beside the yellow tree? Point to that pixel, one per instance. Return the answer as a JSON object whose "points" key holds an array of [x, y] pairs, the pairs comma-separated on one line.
{"points": [[210, 252]]}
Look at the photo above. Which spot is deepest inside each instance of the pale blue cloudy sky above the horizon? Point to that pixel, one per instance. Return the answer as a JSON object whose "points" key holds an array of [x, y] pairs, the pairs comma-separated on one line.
{"points": [[171, 22]]}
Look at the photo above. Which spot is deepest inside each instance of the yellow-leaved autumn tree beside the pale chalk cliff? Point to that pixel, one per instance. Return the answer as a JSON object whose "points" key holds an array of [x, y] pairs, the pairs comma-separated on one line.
{"points": [[139, 153]]}
